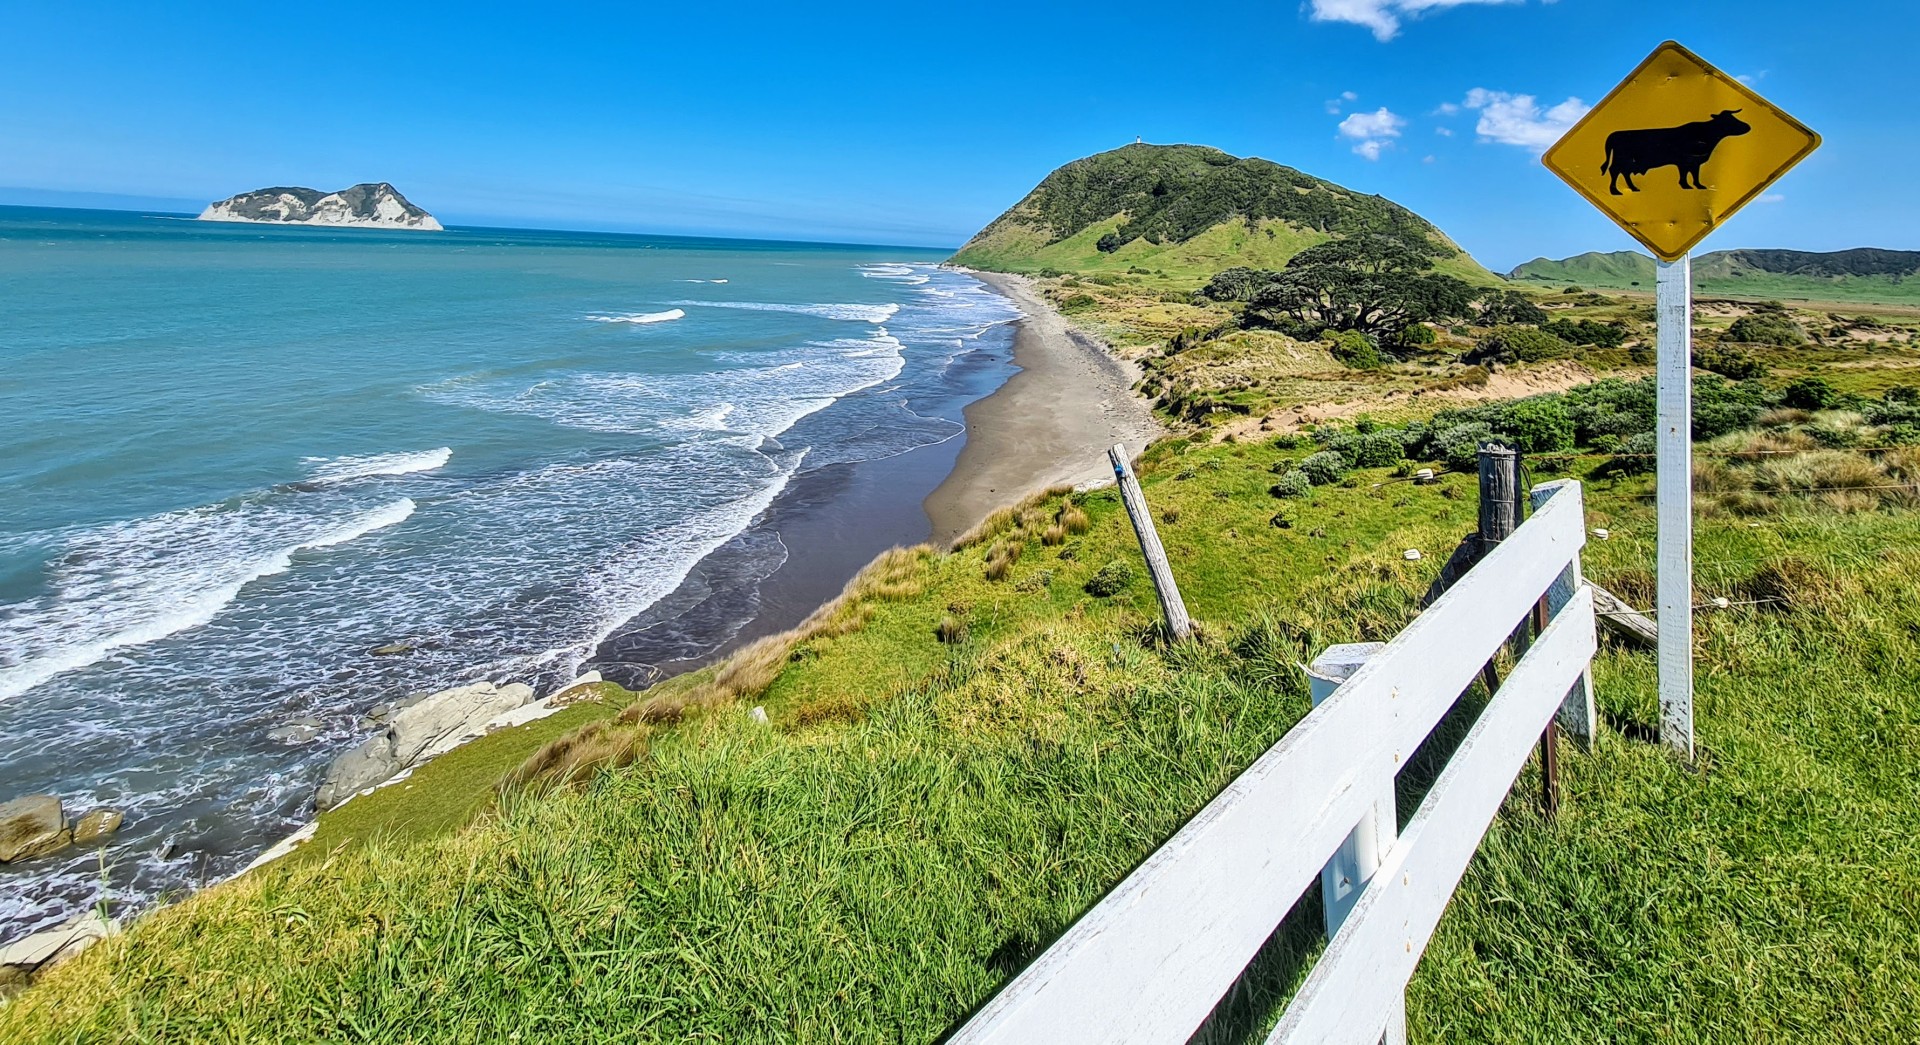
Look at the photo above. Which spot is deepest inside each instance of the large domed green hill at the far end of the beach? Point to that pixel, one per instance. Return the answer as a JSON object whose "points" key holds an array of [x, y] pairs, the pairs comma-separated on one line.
{"points": [[1188, 212]]}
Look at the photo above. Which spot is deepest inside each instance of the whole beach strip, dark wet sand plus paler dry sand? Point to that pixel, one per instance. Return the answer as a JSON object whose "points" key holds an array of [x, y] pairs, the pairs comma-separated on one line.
{"points": [[1049, 424]]}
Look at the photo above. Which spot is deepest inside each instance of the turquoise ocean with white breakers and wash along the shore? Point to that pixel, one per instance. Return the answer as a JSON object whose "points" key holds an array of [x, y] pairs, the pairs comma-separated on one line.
{"points": [[235, 460]]}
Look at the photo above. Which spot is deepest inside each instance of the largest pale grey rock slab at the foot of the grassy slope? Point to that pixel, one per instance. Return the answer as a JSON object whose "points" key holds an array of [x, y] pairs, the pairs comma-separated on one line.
{"points": [[418, 733]]}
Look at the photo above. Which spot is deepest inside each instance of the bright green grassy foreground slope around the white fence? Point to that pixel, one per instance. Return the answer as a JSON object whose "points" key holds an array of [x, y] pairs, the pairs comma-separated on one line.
{"points": [[921, 817]]}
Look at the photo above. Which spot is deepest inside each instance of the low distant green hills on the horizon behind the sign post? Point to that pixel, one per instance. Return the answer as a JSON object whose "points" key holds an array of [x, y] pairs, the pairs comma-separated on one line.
{"points": [[1865, 276]]}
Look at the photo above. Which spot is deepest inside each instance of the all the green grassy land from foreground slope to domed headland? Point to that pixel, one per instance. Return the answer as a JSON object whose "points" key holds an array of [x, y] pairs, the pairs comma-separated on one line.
{"points": [[969, 748]]}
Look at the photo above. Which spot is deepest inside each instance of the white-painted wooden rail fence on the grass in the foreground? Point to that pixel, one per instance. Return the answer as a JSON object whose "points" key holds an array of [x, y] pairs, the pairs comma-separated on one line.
{"points": [[1153, 958]]}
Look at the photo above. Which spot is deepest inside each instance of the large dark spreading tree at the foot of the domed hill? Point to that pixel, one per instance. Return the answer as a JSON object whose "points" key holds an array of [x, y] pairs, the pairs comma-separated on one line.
{"points": [[1372, 283]]}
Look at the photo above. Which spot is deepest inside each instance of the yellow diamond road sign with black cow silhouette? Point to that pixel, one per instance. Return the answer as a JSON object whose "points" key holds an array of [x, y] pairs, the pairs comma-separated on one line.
{"points": [[1677, 149]]}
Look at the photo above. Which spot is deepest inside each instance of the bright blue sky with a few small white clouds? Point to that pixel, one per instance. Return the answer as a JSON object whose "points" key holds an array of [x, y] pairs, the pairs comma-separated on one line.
{"points": [[915, 124]]}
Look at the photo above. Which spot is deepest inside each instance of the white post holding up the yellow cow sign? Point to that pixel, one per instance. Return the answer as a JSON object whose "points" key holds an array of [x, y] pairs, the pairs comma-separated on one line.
{"points": [[1675, 502]]}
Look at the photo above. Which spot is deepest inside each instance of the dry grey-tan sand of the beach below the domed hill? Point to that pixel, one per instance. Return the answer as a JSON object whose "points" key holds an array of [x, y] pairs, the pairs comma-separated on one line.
{"points": [[1051, 424]]}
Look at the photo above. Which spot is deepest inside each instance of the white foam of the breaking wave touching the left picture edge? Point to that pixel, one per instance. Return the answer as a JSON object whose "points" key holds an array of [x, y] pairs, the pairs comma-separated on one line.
{"points": [[137, 583]]}
